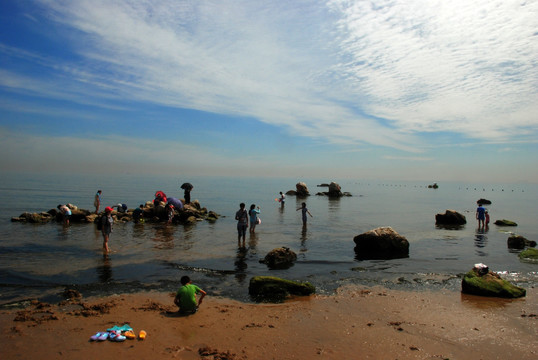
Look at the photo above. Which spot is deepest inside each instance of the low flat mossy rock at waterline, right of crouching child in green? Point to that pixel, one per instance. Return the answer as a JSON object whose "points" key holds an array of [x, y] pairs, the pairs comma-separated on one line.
{"points": [[274, 289]]}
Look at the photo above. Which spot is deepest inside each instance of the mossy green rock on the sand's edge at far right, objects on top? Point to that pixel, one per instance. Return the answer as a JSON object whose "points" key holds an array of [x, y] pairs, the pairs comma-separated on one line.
{"points": [[490, 284]]}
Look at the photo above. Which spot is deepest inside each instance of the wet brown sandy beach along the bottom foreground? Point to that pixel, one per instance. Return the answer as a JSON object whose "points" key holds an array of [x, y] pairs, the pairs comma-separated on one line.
{"points": [[358, 323]]}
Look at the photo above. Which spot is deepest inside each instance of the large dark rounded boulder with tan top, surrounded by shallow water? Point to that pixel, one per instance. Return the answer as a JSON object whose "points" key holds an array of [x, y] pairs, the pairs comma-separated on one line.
{"points": [[381, 243]]}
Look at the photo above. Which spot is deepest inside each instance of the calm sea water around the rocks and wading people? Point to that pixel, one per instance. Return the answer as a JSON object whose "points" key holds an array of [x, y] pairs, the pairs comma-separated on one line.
{"points": [[42, 260]]}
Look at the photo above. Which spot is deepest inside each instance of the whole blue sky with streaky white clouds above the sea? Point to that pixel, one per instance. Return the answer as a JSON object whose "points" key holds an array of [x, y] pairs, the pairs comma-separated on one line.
{"points": [[426, 90]]}
